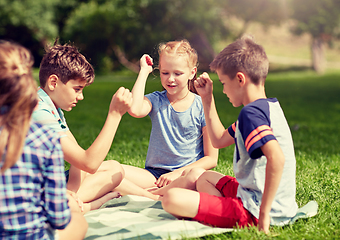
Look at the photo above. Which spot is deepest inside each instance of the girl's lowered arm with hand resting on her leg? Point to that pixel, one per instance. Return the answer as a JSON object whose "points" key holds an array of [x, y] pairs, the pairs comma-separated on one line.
{"points": [[207, 162]]}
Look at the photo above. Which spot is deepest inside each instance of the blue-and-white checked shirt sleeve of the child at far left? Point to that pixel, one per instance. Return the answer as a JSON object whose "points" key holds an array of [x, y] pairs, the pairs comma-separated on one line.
{"points": [[58, 212]]}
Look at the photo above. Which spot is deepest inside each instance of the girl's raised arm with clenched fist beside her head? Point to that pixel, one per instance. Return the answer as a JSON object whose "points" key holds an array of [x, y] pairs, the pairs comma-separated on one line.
{"points": [[141, 106]]}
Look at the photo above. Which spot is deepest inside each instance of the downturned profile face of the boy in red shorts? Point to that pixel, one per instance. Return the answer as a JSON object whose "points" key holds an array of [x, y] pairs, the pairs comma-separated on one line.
{"points": [[231, 88]]}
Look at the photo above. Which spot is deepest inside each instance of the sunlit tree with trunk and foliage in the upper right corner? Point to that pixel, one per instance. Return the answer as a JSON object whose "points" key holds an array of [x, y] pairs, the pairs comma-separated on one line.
{"points": [[320, 19]]}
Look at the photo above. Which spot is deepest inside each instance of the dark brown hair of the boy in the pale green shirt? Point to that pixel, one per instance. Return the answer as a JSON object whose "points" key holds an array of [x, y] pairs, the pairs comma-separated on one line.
{"points": [[67, 63]]}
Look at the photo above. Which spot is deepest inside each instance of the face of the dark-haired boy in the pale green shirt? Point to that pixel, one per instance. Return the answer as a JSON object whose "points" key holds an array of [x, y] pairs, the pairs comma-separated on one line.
{"points": [[66, 96]]}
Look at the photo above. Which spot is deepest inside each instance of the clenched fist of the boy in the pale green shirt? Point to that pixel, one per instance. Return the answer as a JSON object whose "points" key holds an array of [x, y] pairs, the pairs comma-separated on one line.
{"points": [[121, 101]]}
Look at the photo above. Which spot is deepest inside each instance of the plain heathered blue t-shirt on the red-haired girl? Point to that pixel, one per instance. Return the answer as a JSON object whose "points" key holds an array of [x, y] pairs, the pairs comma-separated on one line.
{"points": [[176, 138]]}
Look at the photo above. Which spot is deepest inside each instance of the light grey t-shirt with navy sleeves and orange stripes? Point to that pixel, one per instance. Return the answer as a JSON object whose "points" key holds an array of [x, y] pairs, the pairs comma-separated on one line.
{"points": [[259, 122]]}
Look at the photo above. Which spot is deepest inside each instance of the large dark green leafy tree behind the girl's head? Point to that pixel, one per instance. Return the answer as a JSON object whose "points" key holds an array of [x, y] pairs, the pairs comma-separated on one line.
{"points": [[122, 30]]}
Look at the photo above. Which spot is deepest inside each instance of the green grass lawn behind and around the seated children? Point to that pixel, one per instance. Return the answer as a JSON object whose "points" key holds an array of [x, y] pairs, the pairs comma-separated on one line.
{"points": [[312, 107]]}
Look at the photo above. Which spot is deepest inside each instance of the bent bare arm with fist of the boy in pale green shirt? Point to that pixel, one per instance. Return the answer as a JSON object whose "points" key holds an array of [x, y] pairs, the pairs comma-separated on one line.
{"points": [[89, 160]]}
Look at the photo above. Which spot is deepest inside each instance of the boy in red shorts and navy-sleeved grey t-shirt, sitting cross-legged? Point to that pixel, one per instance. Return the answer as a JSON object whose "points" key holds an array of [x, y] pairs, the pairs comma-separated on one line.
{"points": [[263, 190]]}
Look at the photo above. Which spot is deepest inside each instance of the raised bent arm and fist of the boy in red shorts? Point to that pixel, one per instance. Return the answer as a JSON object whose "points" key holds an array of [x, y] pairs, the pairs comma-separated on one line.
{"points": [[219, 136]]}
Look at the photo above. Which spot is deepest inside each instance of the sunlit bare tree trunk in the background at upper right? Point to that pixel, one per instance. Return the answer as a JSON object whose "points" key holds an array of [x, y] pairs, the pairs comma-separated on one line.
{"points": [[318, 57]]}
